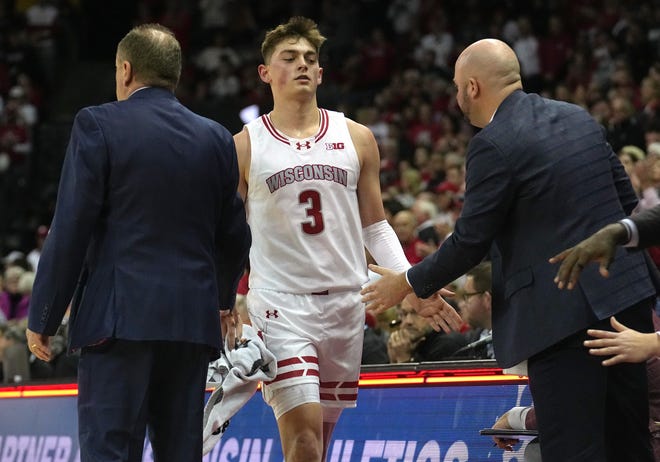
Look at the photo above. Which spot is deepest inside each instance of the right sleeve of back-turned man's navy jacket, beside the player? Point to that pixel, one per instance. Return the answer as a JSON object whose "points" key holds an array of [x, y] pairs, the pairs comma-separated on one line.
{"points": [[233, 238]]}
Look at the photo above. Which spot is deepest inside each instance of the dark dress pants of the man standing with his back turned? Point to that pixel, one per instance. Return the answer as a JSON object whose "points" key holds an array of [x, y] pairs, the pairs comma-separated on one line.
{"points": [[125, 387]]}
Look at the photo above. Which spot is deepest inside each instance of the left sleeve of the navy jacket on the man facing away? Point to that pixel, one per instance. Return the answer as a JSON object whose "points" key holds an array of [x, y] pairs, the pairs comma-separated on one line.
{"points": [[80, 200]]}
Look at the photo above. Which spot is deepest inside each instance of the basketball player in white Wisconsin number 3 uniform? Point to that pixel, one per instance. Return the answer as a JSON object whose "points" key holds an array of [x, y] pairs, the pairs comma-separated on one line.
{"points": [[310, 181]]}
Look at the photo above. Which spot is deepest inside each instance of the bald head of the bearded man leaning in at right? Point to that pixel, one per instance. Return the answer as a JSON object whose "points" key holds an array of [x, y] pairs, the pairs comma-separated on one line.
{"points": [[487, 71]]}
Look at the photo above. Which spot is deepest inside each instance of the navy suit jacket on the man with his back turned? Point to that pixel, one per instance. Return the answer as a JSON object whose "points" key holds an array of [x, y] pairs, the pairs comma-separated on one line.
{"points": [[148, 229]]}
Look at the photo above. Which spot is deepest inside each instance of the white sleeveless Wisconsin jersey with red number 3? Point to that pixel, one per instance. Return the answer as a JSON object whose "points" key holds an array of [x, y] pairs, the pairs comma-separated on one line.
{"points": [[303, 210]]}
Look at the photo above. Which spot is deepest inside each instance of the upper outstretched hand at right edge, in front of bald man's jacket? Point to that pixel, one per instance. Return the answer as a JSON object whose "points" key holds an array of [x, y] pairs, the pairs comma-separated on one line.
{"points": [[600, 247]]}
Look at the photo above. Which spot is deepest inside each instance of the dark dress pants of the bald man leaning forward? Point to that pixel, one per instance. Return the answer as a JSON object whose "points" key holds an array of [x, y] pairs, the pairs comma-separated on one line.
{"points": [[589, 412]]}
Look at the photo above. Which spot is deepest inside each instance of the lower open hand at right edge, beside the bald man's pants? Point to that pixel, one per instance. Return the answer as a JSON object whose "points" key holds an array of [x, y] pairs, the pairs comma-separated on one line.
{"points": [[624, 345]]}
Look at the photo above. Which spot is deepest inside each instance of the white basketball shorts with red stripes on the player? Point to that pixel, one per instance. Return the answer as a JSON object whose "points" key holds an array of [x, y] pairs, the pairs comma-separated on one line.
{"points": [[317, 339]]}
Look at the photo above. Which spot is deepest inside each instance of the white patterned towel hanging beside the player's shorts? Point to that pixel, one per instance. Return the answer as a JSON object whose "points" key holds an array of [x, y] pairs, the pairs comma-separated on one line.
{"points": [[235, 376]]}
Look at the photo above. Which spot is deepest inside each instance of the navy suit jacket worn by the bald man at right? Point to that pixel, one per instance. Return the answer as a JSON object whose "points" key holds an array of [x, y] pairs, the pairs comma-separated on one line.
{"points": [[539, 178]]}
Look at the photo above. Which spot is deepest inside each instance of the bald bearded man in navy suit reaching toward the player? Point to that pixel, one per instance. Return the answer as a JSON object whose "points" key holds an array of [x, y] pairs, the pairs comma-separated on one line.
{"points": [[540, 176]]}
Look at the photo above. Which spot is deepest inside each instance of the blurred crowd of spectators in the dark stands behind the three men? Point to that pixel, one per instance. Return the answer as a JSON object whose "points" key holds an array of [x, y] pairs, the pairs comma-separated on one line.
{"points": [[387, 64]]}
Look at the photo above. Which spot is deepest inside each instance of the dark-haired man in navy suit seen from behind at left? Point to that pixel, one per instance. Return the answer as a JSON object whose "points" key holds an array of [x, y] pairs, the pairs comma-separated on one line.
{"points": [[148, 242]]}
